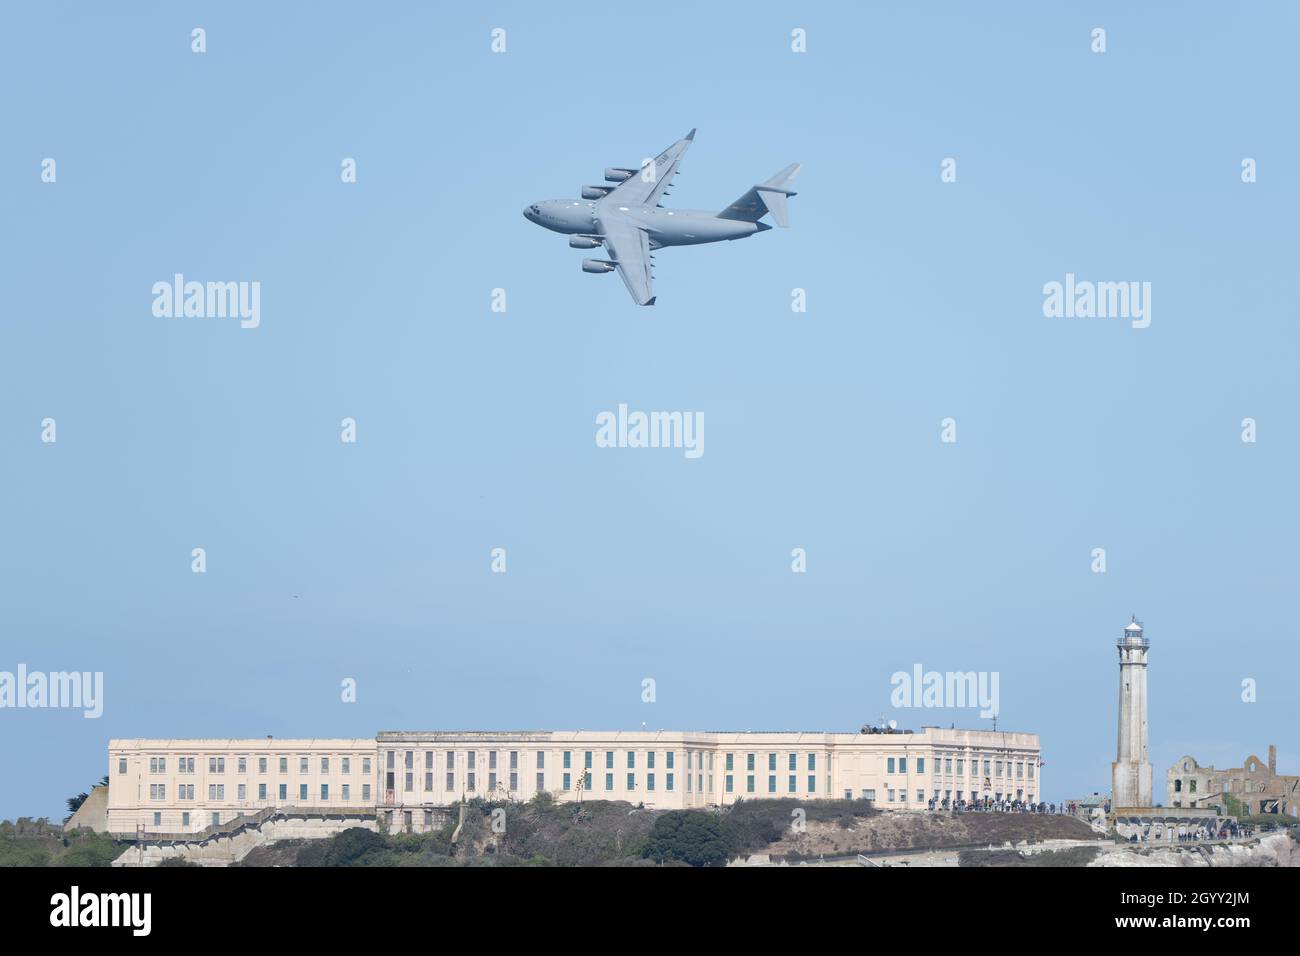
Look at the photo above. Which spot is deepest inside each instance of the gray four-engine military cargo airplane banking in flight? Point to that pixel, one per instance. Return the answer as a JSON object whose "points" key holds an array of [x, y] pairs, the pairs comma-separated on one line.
{"points": [[629, 220]]}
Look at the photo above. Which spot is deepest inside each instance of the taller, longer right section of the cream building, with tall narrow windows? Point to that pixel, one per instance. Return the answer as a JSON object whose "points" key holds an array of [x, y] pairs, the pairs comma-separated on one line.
{"points": [[422, 772]]}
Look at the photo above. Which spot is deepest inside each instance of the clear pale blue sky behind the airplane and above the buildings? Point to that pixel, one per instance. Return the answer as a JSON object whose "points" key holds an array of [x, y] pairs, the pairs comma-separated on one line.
{"points": [[476, 430]]}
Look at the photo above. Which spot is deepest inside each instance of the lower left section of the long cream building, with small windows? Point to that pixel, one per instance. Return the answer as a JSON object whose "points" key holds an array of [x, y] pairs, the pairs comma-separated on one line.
{"points": [[185, 786]]}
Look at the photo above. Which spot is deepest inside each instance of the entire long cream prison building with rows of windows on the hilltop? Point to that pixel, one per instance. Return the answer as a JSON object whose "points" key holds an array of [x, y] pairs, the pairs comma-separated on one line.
{"points": [[410, 778]]}
